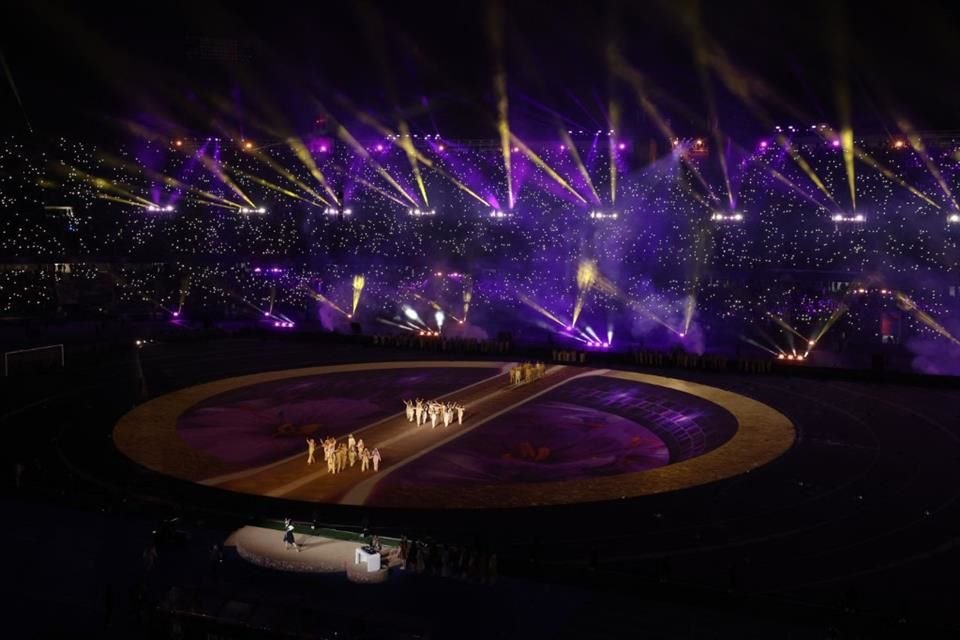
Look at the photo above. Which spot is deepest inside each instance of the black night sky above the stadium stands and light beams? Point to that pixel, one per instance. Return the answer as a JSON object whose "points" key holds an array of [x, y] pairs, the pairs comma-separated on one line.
{"points": [[80, 66]]}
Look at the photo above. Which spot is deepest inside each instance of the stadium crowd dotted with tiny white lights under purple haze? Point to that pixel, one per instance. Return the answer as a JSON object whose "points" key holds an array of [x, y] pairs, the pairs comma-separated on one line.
{"points": [[656, 255]]}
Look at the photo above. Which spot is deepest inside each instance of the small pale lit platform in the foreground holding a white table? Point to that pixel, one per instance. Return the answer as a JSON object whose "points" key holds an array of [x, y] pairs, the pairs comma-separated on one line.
{"points": [[264, 547]]}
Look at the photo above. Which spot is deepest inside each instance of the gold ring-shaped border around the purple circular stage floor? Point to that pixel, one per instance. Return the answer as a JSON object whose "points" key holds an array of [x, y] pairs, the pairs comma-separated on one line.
{"points": [[148, 435]]}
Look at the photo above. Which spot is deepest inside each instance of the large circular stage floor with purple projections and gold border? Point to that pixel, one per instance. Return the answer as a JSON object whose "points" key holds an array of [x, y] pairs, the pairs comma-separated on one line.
{"points": [[575, 435]]}
